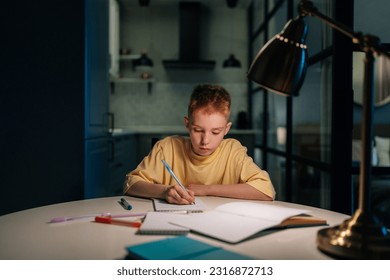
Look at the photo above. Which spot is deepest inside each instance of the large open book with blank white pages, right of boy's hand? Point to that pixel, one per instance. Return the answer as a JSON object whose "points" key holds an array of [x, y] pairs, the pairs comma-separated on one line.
{"points": [[236, 221]]}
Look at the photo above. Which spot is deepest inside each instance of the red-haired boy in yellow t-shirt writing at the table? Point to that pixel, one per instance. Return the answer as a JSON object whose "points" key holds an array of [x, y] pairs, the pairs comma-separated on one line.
{"points": [[206, 163]]}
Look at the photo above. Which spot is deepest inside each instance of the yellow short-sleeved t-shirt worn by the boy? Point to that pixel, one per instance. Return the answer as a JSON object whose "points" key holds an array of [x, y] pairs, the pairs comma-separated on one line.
{"points": [[229, 164]]}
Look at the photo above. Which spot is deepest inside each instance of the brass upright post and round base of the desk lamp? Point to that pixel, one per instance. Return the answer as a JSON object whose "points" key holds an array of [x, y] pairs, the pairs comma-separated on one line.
{"points": [[362, 236]]}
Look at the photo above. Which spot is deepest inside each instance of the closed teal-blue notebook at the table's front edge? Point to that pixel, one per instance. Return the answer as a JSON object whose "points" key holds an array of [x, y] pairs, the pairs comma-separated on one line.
{"points": [[181, 248]]}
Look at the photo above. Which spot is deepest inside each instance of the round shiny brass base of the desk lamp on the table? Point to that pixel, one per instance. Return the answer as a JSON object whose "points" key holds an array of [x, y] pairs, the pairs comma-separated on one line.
{"points": [[361, 237]]}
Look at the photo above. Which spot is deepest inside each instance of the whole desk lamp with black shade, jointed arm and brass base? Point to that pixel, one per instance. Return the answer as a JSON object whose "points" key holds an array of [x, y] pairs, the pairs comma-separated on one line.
{"points": [[280, 66]]}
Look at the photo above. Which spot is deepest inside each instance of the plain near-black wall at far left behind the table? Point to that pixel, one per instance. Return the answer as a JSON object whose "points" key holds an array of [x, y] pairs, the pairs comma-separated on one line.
{"points": [[41, 103]]}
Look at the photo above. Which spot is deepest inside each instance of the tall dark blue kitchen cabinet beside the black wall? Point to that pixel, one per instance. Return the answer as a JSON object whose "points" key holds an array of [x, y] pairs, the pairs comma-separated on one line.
{"points": [[98, 120]]}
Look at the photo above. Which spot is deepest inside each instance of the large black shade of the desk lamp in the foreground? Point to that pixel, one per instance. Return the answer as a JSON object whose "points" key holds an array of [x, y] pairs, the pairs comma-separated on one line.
{"points": [[280, 66]]}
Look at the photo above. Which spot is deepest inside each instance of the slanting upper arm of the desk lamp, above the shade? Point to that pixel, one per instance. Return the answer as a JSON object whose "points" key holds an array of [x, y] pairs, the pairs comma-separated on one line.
{"points": [[366, 42]]}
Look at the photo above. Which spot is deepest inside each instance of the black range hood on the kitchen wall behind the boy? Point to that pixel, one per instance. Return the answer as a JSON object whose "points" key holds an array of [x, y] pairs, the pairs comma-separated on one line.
{"points": [[189, 39]]}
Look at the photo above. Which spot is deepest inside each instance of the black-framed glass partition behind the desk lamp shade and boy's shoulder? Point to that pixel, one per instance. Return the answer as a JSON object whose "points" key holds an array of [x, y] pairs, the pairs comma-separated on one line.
{"points": [[305, 150]]}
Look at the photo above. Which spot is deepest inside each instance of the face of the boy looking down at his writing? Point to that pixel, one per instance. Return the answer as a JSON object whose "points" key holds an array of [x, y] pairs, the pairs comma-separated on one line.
{"points": [[206, 131]]}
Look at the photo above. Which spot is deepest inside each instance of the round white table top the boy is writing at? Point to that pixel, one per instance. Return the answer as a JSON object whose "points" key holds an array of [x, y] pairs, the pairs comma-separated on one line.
{"points": [[28, 235]]}
